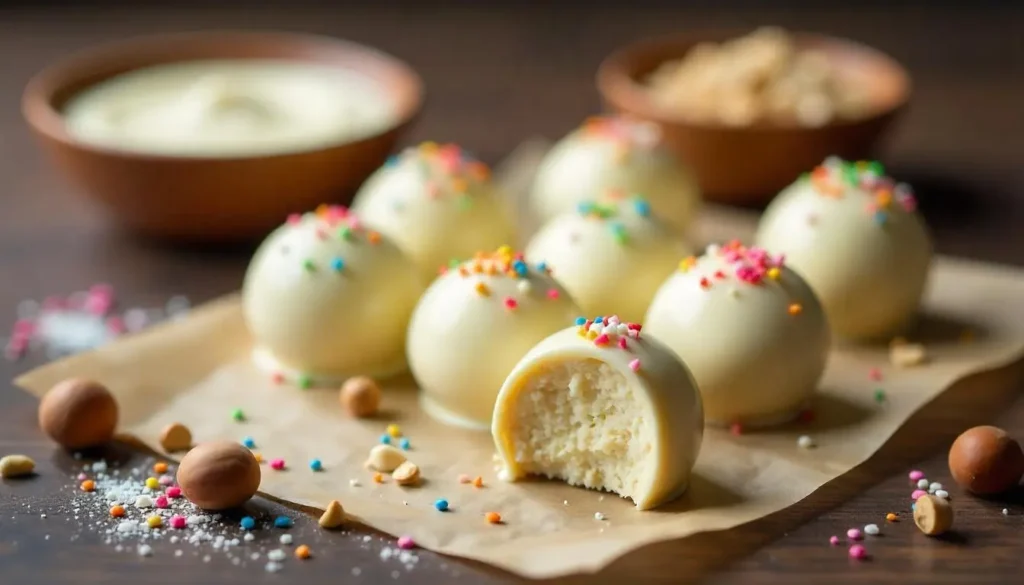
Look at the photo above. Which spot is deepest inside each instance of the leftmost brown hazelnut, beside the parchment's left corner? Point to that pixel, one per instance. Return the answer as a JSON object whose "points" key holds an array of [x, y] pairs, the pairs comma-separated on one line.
{"points": [[79, 414]]}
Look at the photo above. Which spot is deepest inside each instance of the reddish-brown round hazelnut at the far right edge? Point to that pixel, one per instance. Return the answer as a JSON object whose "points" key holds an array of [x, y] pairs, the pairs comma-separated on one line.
{"points": [[987, 462]]}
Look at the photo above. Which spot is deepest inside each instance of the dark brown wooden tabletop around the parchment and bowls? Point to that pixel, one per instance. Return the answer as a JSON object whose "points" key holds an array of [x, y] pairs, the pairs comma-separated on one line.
{"points": [[498, 74]]}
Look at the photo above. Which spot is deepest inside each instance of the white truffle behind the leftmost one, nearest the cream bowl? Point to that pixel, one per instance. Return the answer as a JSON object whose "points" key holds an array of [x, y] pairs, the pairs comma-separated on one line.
{"points": [[438, 204]]}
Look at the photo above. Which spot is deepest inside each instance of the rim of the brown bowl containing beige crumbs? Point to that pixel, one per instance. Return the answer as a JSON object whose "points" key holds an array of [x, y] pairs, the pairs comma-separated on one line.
{"points": [[622, 91]]}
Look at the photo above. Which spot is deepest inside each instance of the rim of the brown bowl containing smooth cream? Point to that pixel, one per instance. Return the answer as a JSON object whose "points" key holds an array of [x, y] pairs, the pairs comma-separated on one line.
{"points": [[39, 112]]}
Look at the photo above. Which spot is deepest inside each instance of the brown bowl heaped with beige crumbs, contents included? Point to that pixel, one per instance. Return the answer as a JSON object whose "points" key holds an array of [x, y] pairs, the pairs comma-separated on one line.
{"points": [[749, 112]]}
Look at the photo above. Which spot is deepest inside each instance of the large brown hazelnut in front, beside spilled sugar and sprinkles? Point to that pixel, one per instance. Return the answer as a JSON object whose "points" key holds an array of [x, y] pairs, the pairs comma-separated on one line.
{"points": [[220, 475]]}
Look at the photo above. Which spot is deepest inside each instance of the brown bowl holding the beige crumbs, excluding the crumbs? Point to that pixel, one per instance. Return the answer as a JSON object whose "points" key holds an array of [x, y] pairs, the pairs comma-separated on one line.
{"points": [[749, 165]]}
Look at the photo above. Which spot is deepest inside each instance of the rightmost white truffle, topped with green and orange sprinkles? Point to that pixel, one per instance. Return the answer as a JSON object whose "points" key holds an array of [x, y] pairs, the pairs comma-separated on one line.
{"points": [[856, 237]]}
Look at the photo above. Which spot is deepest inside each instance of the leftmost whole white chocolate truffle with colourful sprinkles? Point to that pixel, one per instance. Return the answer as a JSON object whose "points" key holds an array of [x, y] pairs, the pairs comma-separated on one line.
{"points": [[326, 299]]}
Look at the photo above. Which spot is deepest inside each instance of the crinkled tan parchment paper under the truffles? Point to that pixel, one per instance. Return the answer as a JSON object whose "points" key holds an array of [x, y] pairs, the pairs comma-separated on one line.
{"points": [[197, 370]]}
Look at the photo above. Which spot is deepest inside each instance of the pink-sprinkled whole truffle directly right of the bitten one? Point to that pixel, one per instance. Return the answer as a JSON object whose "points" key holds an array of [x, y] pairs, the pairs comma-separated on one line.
{"points": [[751, 331]]}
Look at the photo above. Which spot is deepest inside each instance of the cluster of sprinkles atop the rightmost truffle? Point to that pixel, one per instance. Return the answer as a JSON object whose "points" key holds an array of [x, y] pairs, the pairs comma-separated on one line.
{"points": [[835, 176]]}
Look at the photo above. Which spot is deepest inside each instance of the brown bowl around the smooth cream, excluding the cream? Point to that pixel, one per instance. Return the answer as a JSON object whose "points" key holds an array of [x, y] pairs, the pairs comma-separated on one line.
{"points": [[215, 199]]}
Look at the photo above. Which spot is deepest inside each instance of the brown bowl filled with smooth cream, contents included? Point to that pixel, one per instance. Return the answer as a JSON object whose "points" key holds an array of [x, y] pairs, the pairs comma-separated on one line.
{"points": [[220, 136]]}
